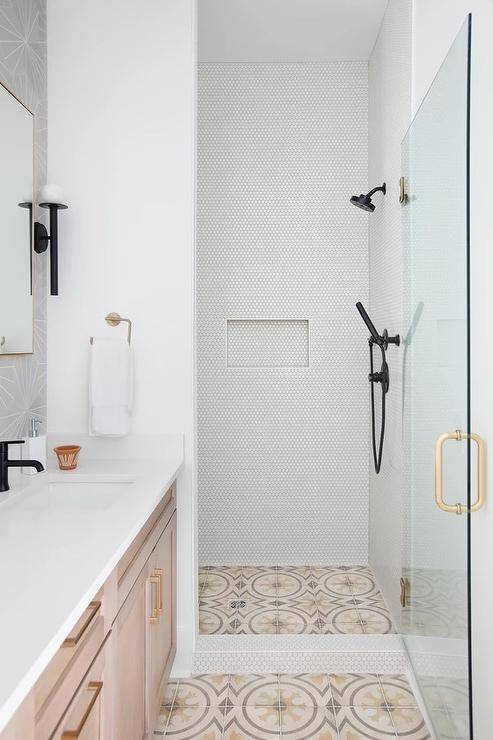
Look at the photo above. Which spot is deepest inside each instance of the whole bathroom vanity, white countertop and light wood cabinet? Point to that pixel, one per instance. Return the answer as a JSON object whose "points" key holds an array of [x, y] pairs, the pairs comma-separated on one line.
{"points": [[94, 626]]}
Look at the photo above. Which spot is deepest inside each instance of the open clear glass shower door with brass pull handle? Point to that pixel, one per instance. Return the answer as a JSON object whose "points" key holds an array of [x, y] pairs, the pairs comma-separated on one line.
{"points": [[439, 453]]}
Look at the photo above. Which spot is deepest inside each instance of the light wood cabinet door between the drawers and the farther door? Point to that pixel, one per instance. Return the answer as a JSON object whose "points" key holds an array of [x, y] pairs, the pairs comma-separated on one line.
{"points": [[129, 664]]}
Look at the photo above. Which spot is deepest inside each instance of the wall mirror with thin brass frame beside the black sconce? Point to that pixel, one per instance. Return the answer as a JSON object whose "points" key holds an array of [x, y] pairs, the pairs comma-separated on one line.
{"points": [[16, 199]]}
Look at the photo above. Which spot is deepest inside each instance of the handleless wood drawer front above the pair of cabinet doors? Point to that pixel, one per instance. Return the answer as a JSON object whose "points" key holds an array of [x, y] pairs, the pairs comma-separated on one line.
{"points": [[139, 551]]}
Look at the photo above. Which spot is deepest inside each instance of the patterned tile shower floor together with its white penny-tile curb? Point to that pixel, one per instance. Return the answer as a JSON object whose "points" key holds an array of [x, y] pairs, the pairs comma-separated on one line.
{"points": [[294, 619]]}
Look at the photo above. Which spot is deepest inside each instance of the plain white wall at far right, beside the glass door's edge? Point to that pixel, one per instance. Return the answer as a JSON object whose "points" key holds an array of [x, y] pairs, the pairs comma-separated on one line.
{"points": [[434, 31]]}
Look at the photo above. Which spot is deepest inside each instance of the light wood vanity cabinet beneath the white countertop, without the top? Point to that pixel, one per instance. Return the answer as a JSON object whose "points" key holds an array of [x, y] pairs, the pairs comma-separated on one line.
{"points": [[107, 679]]}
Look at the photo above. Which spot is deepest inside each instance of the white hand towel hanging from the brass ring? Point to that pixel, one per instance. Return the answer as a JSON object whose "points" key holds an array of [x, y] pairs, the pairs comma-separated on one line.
{"points": [[110, 387]]}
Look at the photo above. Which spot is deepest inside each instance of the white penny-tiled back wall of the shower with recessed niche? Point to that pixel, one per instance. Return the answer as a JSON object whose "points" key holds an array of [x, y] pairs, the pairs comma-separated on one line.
{"points": [[282, 445]]}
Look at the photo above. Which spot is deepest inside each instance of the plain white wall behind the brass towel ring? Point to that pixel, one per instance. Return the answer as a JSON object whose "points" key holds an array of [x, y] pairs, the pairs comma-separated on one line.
{"points": [[121, 145]]}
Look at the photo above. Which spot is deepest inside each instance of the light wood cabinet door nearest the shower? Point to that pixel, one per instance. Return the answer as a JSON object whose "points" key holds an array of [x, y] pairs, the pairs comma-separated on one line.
{"points": [[161, 631]]}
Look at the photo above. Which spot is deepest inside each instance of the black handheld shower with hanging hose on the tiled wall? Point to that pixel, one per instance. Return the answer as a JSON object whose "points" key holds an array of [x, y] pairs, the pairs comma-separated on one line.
{"points": [[382, 377]]}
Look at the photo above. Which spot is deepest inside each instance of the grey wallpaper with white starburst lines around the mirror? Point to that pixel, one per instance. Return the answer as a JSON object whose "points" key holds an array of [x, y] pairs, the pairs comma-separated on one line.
{"points": [[23, 70]]}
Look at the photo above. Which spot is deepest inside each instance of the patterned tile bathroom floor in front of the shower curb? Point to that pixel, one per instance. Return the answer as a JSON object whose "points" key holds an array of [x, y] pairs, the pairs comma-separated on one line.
{"points": [[305, 706]]}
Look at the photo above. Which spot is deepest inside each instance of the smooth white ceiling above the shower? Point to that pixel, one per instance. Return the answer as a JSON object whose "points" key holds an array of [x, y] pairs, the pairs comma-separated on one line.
{"points": [[288, 30]]}
